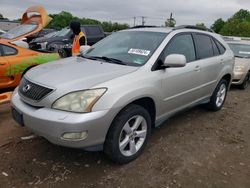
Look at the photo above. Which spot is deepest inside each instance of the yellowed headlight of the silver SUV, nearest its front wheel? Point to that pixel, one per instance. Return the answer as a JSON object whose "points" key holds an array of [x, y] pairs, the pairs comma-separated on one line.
{"points": [[79, 101]]}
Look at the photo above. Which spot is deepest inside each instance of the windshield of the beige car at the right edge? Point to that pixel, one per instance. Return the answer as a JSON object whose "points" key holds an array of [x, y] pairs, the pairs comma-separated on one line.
{"points": [[240, 50]]}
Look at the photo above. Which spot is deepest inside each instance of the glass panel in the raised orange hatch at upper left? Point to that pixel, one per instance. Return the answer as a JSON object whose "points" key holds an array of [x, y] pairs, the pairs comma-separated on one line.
{"points": [[19, 31]]}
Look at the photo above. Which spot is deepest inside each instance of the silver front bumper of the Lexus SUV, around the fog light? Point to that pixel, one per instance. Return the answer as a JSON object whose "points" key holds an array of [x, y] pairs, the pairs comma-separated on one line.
{"points": [[52, 124]]}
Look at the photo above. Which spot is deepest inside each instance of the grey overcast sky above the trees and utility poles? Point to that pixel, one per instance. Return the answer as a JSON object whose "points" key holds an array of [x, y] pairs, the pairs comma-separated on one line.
{"points": [[123, 11]]}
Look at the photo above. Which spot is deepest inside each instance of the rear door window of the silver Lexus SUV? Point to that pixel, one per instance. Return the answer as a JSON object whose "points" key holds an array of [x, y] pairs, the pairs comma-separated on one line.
{"points": [[203, 46]]}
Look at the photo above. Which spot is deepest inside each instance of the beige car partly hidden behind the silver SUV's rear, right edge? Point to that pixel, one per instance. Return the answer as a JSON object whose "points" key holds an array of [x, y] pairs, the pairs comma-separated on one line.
{"points": [[241, 49]]}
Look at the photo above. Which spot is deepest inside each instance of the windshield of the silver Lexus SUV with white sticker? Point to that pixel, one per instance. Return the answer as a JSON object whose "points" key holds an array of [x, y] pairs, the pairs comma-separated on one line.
{"points": [[131, 47]]}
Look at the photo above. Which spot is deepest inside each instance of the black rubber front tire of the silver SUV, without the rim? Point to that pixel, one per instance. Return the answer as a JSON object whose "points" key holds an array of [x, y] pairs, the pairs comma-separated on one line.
{"points": [[111, 145]]}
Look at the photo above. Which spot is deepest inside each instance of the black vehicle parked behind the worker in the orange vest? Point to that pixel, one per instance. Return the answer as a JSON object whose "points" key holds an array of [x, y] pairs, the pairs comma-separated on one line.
{"points": [[63, 39]]}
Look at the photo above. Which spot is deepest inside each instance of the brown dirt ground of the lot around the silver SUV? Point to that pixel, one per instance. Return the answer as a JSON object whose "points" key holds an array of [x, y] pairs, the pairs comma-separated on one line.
{"points": [[194, 149]]}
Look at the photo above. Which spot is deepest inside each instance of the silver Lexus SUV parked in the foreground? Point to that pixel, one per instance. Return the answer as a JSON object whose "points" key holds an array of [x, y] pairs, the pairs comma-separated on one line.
{"points": [[111, 96]]}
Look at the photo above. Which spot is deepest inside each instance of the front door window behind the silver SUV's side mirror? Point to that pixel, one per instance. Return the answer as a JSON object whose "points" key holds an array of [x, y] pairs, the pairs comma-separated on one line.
{"points": [[182, 44]]}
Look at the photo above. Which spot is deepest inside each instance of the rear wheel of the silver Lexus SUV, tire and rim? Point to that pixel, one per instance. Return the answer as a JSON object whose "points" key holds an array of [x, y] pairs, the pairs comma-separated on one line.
{"points": [[219, 96]]}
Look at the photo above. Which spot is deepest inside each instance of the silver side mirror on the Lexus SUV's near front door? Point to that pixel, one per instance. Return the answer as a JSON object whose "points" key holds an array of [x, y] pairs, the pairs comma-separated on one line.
{"points": [[175, 60]]}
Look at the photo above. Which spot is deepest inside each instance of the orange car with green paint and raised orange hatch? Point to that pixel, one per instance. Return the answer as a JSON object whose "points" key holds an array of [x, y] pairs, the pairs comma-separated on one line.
{"points": [[16, 60]]}
